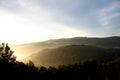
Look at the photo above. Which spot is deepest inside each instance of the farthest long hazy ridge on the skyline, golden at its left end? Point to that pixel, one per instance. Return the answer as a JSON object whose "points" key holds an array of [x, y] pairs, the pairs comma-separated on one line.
{"points": [[107, 42]]}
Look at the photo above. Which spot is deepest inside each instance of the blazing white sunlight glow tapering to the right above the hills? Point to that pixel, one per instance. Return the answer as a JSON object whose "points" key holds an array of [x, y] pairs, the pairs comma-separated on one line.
{"points": [[16, 29]]}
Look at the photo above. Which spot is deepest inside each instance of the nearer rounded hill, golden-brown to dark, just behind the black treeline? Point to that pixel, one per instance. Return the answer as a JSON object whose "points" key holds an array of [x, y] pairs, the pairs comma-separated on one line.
{"points": [[73, 54]]}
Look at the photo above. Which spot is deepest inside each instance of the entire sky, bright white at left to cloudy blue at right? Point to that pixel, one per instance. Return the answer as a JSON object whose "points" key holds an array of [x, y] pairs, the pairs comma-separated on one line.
{"points": [[25, 21]]}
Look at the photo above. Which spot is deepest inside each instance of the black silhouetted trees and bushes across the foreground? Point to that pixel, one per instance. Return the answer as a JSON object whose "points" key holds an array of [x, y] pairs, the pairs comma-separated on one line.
{"points": [[10, 69]]}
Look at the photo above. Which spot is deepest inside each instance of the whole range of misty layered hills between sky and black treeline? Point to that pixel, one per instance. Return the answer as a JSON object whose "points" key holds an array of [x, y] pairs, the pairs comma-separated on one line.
{"points": [[70, 50]]}
